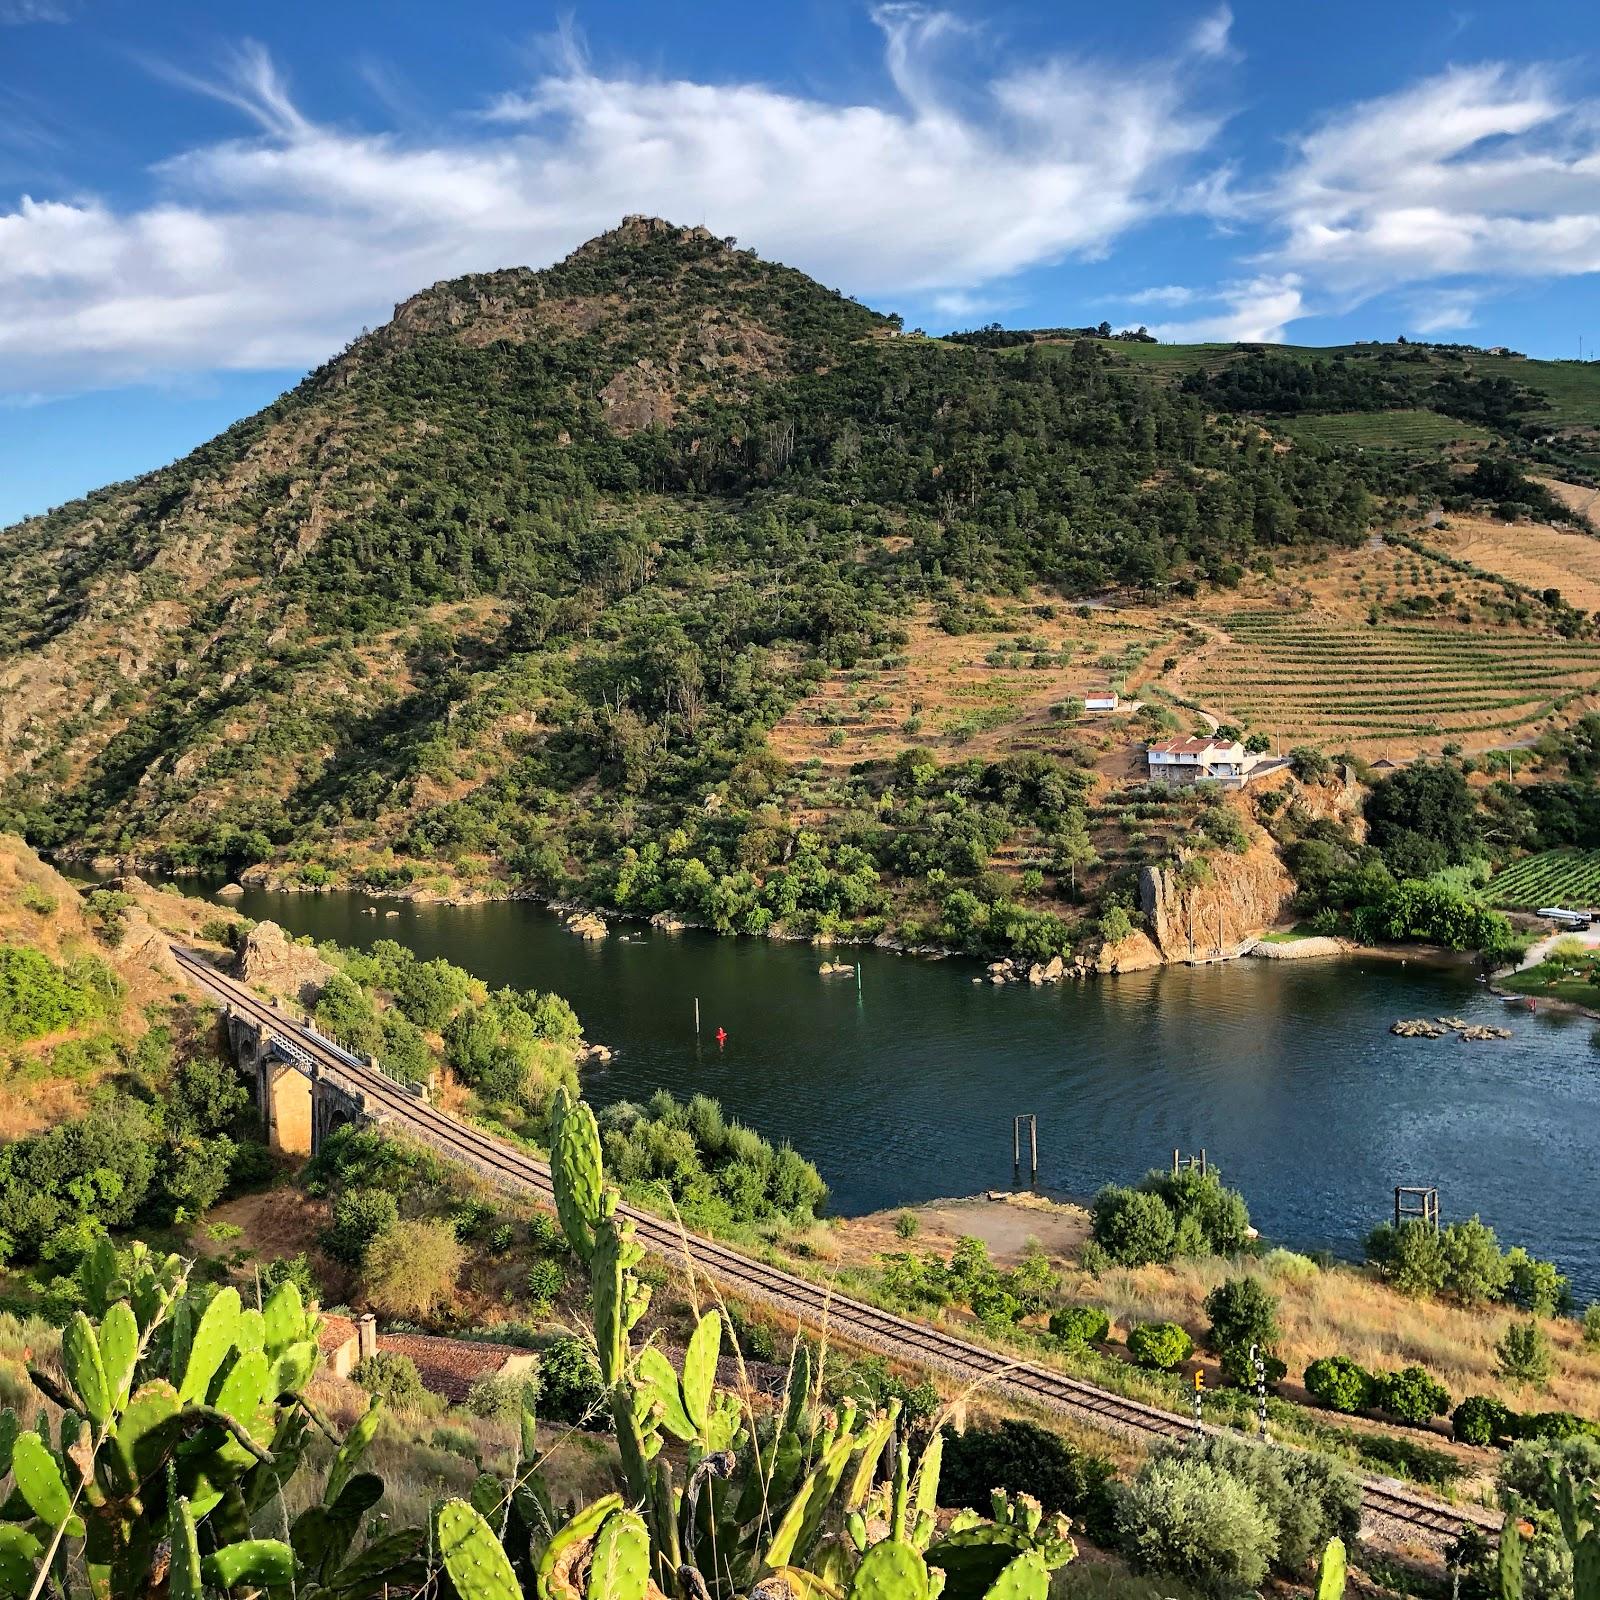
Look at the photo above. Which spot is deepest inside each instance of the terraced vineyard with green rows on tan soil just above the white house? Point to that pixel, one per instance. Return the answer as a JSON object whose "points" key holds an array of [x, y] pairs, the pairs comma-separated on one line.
{"points": [[1390, 689]]}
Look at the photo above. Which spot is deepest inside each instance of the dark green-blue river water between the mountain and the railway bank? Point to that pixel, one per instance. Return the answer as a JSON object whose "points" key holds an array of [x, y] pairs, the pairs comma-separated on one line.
{"points": [[1286, 1073]]}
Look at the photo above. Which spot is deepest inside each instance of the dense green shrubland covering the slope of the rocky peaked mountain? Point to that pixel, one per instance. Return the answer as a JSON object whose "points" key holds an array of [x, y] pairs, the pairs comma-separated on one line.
{"points": [[628, 609]]}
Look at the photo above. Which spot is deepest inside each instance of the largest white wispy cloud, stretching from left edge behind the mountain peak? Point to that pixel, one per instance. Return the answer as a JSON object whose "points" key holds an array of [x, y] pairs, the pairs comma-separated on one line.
{"points": [[270, 250]]}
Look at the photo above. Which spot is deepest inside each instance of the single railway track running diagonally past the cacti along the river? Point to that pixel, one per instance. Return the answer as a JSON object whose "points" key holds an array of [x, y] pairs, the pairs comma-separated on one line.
{"points": [[850, 1321]]}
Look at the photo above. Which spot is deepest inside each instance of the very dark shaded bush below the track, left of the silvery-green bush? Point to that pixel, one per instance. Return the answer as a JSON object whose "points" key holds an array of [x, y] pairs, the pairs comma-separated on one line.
{"points": [[1023, 1458]]}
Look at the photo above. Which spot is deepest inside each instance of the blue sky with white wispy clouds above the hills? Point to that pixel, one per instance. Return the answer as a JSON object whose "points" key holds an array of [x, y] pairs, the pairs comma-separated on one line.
{"points": [[199, 202]]}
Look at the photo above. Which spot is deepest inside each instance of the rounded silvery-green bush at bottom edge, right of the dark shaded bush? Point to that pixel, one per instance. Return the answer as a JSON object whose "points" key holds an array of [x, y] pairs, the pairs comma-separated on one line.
{"points": [[1196, 1522]]}
